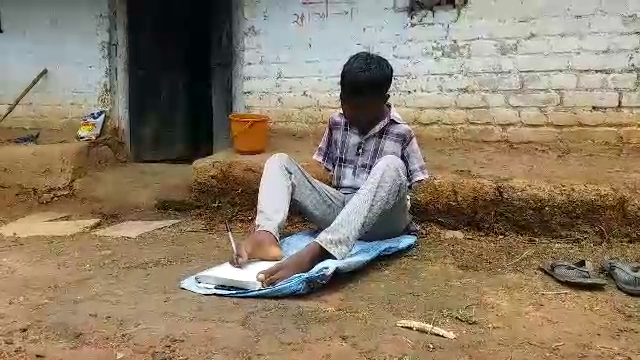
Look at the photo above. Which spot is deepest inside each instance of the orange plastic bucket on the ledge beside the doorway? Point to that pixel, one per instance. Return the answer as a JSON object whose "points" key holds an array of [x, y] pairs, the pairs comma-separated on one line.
{"points": [[249, 133]]}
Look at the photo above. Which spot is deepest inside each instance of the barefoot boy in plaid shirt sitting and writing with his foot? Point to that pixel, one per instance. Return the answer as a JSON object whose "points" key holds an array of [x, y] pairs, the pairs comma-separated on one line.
{"points": [[373, 158]]}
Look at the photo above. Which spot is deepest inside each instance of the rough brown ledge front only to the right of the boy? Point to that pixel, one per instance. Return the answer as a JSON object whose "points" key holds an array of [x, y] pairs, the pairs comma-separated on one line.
{"points": [[534, 208]]}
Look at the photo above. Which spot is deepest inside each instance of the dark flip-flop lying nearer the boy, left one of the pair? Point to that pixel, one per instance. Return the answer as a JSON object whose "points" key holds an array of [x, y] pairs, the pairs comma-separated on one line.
{"points": [[578, 274]]}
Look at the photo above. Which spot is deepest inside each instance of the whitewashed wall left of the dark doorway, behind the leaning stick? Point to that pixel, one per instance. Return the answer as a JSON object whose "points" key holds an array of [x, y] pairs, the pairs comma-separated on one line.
{"points": [[70, 38]]}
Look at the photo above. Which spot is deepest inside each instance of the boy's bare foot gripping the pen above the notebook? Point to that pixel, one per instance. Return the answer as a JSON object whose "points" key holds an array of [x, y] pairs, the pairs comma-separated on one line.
{"points": [[261, 245]]}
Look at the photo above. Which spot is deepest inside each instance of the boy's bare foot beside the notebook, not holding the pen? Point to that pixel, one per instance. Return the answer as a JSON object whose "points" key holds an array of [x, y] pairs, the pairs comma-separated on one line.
{"points": [[302, 261]]}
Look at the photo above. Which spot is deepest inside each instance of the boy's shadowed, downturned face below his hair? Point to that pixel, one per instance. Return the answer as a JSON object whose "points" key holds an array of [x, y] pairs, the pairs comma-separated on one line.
{"points": [[364, 112]]}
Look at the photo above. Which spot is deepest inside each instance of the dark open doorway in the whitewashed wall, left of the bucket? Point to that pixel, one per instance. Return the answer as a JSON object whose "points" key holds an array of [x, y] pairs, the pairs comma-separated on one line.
{"points": [[172, 70]]}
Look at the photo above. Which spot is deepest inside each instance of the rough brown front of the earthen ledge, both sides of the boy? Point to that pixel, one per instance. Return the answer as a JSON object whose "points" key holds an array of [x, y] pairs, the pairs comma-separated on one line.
{"points": [[456, 201]]}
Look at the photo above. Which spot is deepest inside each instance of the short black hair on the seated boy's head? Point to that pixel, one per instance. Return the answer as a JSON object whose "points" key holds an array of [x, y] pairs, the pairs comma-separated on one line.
{"points": [[366, 75]]}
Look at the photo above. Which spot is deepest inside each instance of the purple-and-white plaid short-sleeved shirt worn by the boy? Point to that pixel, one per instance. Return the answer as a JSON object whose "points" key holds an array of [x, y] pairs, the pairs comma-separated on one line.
{"points": [[349, 157]]}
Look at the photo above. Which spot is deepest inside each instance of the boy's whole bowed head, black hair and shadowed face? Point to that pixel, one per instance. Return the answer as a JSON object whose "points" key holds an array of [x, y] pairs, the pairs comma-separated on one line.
{"points": [[364, 89]]}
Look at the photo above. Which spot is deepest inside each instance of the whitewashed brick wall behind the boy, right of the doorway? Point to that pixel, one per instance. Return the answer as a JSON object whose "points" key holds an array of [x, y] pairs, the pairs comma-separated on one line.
{"points": [[504, 70]]}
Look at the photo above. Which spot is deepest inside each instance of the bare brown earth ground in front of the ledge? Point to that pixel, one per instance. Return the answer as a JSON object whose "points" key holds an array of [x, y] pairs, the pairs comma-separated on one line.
{"points": [[86, 297]]}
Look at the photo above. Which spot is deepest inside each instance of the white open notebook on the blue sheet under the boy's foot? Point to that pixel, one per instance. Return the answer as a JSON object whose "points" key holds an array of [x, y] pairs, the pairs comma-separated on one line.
{"points": [[227, 275]]}
